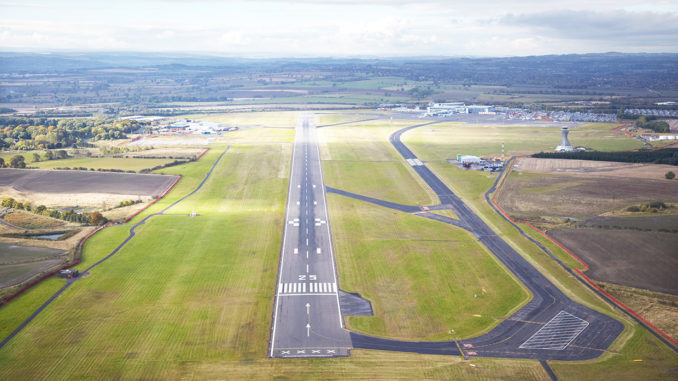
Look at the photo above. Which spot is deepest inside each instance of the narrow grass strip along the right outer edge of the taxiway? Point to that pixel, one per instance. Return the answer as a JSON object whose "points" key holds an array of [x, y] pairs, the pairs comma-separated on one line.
{"points": [[636, 342]]}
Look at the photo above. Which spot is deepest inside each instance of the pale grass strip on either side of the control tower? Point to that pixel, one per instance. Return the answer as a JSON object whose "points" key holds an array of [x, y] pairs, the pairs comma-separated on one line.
{"points": [[446, 140]]}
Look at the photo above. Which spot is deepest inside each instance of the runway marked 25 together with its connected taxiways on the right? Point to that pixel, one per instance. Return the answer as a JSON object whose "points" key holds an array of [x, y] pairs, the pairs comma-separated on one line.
{"points": [[550, 327]]}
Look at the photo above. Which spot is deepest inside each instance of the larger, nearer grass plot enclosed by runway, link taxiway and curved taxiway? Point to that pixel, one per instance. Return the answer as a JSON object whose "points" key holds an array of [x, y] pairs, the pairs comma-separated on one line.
{"points": [[403, 264]]}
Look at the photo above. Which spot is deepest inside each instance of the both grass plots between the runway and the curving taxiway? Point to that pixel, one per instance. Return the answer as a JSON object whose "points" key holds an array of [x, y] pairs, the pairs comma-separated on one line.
{"points": [[401, 262]]}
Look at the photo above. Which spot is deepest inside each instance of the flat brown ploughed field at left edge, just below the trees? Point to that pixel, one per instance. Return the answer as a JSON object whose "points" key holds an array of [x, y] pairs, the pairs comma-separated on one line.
{"points": [[47, 181]]}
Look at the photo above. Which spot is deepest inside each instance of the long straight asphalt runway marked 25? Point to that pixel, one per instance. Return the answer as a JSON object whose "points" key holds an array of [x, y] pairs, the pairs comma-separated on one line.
{"points": [[307, 319]]}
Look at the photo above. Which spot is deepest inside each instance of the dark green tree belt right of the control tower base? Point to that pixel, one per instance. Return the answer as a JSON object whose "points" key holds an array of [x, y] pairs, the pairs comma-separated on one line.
{"points": [[660, 156]]}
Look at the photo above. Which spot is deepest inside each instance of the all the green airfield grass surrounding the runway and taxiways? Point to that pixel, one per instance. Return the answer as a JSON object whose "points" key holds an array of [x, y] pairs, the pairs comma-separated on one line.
{"points": [[192, 298]]}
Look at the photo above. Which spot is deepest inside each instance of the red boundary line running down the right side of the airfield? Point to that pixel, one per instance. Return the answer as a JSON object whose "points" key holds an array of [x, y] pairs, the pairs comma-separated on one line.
{"points": [[578, 270]]}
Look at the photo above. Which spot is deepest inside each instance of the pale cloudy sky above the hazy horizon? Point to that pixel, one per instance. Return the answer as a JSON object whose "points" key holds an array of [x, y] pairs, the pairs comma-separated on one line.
{"points": [[341, 28]]}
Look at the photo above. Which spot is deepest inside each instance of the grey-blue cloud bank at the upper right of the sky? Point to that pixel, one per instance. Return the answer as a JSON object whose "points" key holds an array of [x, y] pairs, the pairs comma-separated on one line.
{"points": [[621, 27]]}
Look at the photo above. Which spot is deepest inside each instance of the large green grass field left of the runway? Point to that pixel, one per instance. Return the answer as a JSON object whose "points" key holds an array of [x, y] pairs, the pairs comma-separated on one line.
{"points": [[173, 292]]}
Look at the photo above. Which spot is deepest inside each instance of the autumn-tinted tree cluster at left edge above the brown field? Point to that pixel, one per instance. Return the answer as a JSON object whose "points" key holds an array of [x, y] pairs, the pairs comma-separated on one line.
{"points": [[44, 133]]}
